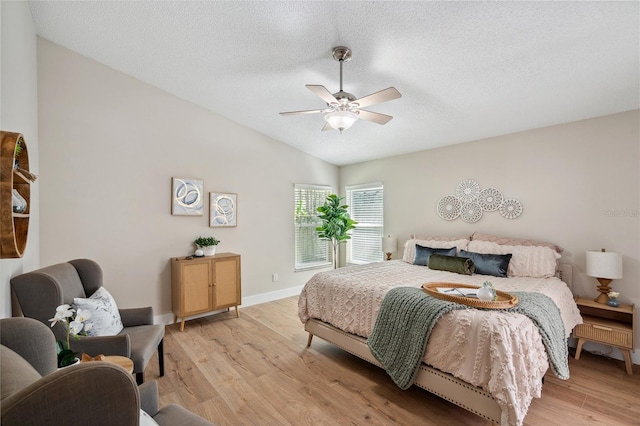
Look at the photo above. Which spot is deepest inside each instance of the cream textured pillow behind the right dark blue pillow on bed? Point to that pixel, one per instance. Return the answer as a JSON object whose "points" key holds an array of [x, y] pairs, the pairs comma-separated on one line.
{"points": [[526, 261]]}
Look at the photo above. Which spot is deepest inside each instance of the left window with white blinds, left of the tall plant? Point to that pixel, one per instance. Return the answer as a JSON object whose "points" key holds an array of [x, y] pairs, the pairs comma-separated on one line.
{"points": [[311, 251]]}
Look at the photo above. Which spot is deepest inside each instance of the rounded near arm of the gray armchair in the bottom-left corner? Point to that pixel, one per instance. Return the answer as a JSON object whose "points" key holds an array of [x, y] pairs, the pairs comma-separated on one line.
{"points": [[92, 393]]}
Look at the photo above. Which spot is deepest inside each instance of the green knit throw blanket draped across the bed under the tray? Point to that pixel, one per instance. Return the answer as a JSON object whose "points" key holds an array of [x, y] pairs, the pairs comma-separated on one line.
{"points": [[407, 316]]}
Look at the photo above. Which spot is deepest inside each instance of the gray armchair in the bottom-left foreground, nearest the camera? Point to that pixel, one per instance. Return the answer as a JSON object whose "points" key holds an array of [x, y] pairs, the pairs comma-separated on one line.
{"points": [[35, 392]]}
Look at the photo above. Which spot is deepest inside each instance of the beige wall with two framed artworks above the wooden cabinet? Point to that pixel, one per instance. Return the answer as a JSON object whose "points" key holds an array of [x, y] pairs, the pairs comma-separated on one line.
{"points": [[109, 147]]}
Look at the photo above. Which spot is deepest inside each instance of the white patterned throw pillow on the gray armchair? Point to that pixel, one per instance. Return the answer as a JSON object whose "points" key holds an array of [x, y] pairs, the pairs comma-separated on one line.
{"points": [[105, 317]]}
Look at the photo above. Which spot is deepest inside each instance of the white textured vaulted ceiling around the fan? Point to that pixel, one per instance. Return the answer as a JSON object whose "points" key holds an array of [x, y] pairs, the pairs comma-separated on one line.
{"points": [[466, 70]]}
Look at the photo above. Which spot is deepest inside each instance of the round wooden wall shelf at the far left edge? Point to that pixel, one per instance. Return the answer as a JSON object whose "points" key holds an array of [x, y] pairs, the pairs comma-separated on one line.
{"points": [[14, 175]]}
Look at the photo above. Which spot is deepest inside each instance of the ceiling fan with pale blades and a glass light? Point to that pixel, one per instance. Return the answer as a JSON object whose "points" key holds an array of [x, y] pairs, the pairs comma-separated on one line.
{"points": [[343, 109]]}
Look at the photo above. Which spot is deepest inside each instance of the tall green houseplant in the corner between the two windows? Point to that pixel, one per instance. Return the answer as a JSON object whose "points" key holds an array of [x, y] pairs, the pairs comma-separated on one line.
{"points": [[336, 223]]}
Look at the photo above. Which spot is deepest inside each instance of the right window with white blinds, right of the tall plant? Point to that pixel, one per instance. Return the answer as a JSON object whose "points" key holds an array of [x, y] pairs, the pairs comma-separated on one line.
{"points": [[366, 207]]}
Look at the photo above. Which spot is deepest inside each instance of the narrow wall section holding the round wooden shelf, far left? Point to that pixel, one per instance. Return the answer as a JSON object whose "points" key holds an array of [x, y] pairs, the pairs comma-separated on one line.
{"points": [[19, 113]]}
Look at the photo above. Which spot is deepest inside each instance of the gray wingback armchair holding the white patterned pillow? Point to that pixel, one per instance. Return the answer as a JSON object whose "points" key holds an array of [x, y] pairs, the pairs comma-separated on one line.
{"points": [[40, 292]]}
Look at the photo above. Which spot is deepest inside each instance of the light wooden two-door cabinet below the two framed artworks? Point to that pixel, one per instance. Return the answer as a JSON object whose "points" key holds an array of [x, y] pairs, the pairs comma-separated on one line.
{"points": [[204, 284]]}
